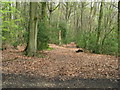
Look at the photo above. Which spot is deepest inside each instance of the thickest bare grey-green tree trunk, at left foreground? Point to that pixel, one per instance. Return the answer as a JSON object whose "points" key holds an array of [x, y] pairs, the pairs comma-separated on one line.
{"points": [[32, 43]]}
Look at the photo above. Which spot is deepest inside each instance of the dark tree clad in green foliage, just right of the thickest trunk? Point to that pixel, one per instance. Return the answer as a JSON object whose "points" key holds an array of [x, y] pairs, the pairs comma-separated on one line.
{"points": [[42, 41]]}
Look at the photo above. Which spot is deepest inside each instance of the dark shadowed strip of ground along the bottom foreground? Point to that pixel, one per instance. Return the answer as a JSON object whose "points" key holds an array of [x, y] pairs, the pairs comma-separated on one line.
{"points": [[22, 81]]}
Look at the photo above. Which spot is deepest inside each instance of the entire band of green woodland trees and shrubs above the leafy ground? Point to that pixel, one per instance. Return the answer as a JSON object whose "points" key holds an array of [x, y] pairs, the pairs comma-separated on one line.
{"points": [[91, 25]]}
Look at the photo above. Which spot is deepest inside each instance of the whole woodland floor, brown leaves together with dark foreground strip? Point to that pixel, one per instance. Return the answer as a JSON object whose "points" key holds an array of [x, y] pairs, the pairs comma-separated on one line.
{"points": [[60, 67]]}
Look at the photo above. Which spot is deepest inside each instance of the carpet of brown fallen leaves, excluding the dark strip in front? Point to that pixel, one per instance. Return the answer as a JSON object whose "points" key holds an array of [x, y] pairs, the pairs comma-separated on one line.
{"points": [[61, 62]]}
